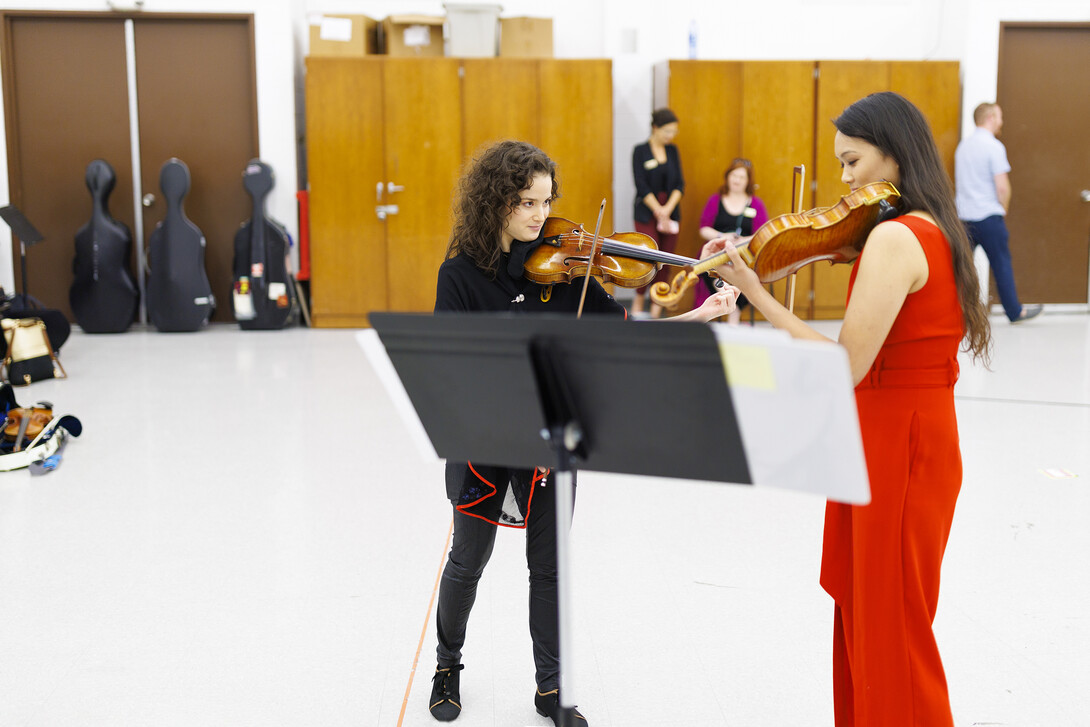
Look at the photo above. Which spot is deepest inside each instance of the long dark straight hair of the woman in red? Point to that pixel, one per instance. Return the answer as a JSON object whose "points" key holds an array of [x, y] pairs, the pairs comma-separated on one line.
{"points": [[892, 124]]}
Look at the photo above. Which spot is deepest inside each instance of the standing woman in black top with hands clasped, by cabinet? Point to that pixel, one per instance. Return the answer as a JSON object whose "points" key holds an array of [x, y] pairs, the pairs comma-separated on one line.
{"points": [[657, 171]]}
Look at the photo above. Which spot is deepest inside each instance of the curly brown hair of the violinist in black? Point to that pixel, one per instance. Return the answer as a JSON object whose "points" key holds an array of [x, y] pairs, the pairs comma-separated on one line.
{"points": [[488, 192]]}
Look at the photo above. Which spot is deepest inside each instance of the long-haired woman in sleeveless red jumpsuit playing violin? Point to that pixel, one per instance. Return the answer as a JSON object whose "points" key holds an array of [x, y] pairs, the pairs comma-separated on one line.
{"points": [[913, 300]]}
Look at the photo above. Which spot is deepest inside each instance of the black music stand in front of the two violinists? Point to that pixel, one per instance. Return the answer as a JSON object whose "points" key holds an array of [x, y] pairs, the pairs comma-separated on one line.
{"points": [[541, 391]]}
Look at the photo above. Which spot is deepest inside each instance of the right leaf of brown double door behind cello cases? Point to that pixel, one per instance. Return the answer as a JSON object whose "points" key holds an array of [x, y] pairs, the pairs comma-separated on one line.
{"points": [[197, 93]]}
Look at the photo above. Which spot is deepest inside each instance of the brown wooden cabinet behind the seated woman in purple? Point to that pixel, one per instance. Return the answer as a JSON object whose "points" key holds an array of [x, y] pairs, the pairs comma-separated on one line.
{"points": [[779, 115]]}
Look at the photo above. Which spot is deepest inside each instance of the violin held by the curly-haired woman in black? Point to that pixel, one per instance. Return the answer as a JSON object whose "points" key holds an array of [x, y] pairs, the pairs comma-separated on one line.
{"points": [[627, 260]]}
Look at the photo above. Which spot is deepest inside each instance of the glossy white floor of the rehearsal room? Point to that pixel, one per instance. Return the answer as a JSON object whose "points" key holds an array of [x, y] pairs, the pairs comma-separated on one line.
{"points": [[244, 536]]}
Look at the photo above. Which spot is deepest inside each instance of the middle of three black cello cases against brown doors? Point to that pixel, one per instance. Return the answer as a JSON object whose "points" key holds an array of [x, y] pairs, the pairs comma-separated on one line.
{"points": [[179, 296]]}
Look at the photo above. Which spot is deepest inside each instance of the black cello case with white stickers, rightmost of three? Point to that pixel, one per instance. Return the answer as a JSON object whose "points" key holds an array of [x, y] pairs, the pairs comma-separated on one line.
{"points": [[264, 294]]}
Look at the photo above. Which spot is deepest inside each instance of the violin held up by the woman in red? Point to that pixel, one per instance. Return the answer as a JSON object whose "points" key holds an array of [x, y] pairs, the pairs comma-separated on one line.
{"points": [[788, 244]]}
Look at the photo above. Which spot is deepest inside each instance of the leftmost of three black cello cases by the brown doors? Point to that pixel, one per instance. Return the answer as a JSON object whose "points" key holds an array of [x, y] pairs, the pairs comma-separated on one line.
{"points": [[104, 296]]}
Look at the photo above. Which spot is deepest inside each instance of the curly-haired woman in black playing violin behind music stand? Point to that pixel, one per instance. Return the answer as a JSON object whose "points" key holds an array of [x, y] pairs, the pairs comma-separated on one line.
{"points": [[504, 200]]}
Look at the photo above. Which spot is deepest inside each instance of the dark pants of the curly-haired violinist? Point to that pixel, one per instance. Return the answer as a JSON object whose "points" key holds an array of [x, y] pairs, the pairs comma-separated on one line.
{"points": [[470, 551]]}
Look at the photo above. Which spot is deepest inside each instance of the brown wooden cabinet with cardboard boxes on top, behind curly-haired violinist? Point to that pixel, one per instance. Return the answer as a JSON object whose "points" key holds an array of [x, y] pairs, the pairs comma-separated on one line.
{"points": [[394, 134]]}
